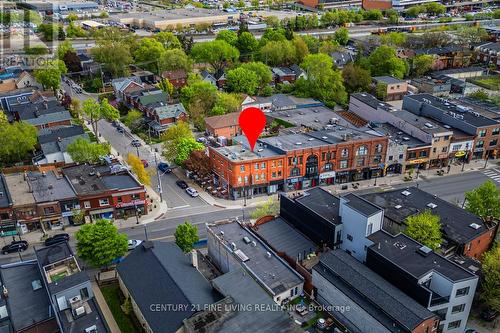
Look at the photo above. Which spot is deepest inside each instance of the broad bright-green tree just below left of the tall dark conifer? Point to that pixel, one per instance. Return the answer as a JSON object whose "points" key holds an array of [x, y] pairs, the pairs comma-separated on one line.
{"points": [[217, 53]]}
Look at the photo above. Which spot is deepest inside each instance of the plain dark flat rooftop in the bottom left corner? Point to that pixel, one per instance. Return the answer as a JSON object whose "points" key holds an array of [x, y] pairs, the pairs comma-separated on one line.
{"points": [[28, 302]]}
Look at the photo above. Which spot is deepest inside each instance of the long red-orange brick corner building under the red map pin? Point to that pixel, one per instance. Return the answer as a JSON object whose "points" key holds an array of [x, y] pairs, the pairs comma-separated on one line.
{"points": [[299, 161]]}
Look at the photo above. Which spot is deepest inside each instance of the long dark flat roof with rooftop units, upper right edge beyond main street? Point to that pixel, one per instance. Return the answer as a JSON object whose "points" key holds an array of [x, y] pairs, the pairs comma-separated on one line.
{"points": [[467, 116]]}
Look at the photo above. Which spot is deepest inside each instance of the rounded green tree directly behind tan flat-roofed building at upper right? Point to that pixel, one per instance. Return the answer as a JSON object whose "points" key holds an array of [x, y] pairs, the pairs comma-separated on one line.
{"points": [[384, 61]]}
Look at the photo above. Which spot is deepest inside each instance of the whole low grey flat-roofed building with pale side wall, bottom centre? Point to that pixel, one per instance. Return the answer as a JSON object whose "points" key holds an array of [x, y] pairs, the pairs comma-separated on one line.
{"points": [[232, 246]]}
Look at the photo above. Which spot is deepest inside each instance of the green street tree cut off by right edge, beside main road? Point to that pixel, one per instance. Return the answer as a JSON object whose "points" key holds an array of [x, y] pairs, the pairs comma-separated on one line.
{"points": [[484, 200]]}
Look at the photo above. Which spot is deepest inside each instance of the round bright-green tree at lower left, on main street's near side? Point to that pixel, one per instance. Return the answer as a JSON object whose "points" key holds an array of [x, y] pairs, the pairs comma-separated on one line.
{"points": [[100, 243]]}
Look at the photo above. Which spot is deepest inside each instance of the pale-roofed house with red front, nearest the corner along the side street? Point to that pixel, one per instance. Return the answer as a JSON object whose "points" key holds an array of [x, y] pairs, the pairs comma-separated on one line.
{"points": [[164, 115]]}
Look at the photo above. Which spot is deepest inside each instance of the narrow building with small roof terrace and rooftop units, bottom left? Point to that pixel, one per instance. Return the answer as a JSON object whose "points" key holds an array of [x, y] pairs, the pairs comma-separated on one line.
{"points": [[69, 291]]}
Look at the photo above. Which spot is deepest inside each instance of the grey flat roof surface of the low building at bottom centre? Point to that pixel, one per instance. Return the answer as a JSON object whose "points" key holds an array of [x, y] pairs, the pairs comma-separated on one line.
{"points": [[274, 273]]}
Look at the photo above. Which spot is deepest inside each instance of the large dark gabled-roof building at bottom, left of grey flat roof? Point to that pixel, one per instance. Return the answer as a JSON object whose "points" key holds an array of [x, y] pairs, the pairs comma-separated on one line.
{"points": [[158, 274]]}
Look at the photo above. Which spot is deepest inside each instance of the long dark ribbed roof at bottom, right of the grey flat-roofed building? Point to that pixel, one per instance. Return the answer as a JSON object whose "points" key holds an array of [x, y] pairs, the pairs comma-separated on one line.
{"points": [[383, 301]]}
